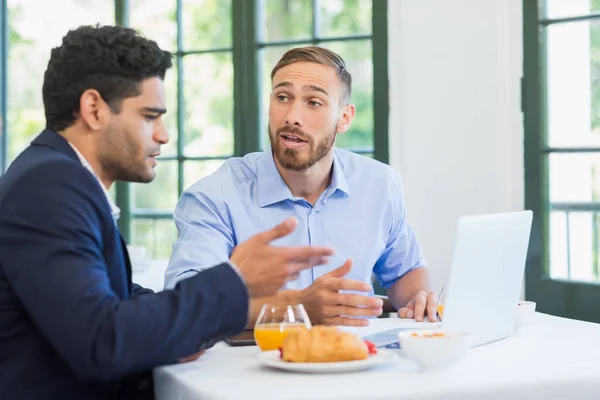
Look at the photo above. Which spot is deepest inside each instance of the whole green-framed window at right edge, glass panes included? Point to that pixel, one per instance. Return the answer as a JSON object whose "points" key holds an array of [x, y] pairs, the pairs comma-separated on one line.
{"points": [[562, 147]]}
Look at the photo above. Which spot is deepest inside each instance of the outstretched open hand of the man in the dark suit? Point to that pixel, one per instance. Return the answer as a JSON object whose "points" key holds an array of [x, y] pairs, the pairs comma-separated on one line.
{"points": [[265, 268]]}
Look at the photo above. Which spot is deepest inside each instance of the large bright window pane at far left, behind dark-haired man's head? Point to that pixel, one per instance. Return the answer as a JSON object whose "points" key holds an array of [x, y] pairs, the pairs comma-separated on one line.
{"points": [[32, 36]]}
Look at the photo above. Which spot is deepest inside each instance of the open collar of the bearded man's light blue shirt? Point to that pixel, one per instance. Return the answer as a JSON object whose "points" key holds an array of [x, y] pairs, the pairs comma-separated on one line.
{"points": [[273, 189]]}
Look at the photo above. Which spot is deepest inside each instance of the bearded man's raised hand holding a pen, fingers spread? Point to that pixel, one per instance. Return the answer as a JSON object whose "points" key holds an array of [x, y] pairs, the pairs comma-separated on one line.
{"points": [[326, 305]]}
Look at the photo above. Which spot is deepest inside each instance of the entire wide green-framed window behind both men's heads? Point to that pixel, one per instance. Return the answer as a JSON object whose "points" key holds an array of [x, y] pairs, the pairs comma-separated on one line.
{"points": [[218, 89]]}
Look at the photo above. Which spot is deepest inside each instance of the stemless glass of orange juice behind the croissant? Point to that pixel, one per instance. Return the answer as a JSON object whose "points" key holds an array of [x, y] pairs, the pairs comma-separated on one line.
{"points": [[274, 323]]}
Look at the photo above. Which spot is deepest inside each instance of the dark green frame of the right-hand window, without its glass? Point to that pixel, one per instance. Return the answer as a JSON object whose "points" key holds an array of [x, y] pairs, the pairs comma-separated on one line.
{"points": [[562, 297]]}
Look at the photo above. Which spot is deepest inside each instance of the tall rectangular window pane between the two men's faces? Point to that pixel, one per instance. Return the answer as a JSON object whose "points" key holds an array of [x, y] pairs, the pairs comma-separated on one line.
{"points": [[208, 91]]}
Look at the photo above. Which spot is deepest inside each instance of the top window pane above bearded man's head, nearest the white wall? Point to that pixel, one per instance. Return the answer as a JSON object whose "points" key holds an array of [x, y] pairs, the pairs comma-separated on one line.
{"points": [[345, 17]]}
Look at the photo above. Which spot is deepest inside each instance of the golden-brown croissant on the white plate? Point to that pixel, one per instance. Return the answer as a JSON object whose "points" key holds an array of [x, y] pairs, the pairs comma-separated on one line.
{"points": [[323, 344]]}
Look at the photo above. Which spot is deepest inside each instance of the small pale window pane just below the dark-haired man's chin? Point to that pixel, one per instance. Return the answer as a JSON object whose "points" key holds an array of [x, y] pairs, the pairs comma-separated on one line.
{"points": [[161, 193]]}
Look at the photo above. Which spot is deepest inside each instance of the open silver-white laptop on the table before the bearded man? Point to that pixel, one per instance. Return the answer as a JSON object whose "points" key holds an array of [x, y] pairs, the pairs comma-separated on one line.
{"points": [[485, 279]]}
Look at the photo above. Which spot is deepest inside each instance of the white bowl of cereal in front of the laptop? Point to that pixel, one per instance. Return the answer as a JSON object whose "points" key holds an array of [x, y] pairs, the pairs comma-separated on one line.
{"points": [[435, 353]]}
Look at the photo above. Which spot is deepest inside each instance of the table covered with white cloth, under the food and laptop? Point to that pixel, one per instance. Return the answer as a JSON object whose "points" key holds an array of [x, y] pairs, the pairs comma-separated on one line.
{"points": [[550, 358]]}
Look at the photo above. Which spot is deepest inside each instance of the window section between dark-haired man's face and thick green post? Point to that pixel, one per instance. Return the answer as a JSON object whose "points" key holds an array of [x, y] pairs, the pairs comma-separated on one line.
{"points": [[200, 101]]}
